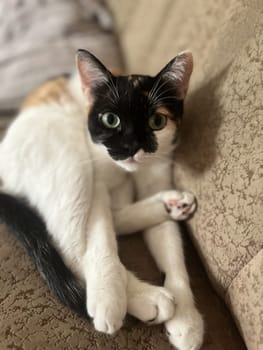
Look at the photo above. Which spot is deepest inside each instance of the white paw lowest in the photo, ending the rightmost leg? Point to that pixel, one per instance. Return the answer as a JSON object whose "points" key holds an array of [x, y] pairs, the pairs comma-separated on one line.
{"points": [[186, 329]]}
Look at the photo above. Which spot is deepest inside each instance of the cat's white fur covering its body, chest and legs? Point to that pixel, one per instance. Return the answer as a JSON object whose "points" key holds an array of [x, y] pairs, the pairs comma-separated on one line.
{"points": [[47, 156]]}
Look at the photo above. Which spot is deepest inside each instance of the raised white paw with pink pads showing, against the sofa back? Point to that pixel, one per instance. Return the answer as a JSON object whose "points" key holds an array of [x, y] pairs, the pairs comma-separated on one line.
{"points": [[179, 205]]}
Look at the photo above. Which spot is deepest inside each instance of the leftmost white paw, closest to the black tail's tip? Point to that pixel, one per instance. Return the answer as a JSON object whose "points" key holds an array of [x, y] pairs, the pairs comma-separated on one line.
{"points": [[107, 298]]}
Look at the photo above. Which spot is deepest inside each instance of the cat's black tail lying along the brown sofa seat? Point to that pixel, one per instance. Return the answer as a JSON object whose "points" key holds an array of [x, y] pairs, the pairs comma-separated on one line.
{"points": [[30, 230]]}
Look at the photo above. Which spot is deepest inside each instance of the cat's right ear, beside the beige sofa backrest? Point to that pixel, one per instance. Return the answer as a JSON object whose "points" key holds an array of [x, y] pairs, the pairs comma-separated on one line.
{"points": [[179, 71]]}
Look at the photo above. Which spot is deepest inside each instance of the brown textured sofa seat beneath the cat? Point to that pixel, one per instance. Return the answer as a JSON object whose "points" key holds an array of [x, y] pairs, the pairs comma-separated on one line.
{"points": [[31, 319]]}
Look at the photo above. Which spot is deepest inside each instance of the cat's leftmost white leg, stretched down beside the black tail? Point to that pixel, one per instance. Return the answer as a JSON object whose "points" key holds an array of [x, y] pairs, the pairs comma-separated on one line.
{"points": [[106, 277]]}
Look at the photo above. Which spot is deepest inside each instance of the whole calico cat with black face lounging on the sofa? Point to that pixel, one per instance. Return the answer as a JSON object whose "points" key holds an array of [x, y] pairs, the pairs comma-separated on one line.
{"points": [[90, 157]]}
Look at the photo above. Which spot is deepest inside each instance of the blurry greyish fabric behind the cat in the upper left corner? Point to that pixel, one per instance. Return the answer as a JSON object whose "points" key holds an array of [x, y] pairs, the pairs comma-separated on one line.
{"points": [[38, 40]]}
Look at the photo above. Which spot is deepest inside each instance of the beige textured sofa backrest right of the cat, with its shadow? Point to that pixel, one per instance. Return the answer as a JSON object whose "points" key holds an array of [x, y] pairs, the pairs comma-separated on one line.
{"points": [[221, 153]]}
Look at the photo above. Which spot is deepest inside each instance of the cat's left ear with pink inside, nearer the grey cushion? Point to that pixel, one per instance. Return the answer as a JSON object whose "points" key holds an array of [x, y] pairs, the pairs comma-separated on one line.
{"points": [[91, 71]]}
